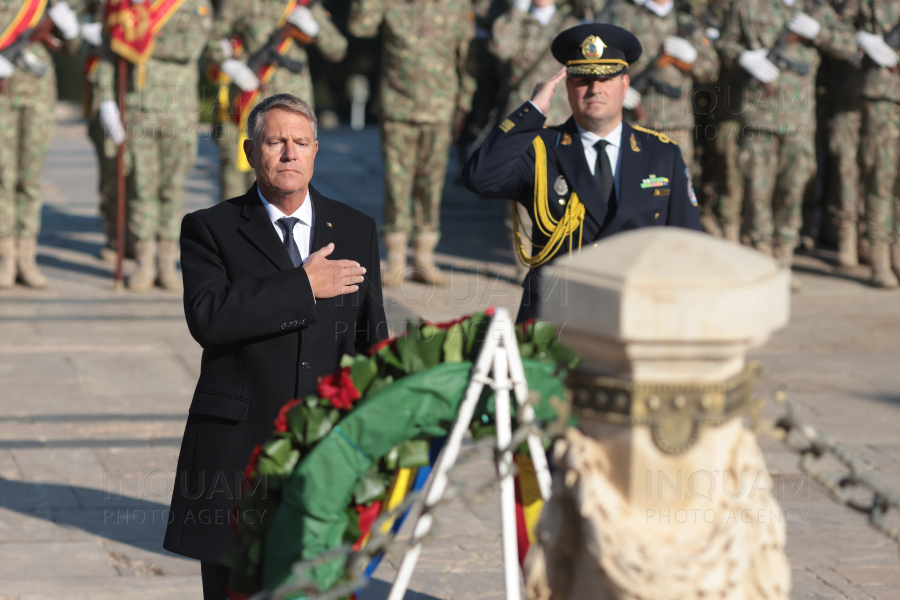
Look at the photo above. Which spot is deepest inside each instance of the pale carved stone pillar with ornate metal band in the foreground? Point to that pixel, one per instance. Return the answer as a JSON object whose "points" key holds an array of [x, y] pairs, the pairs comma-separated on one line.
{"points": [[661, 491]]}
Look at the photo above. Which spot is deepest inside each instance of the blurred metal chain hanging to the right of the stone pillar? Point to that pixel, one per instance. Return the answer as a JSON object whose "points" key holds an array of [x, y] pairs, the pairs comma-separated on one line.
{"points": [[853, 488]]}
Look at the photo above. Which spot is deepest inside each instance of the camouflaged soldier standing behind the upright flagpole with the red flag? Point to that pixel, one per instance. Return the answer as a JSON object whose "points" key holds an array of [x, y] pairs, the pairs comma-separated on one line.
{"points": [[162, 122]]}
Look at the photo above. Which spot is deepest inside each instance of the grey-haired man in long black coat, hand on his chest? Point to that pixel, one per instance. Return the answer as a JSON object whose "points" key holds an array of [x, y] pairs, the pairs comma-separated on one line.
{"points": [[278, 285]]}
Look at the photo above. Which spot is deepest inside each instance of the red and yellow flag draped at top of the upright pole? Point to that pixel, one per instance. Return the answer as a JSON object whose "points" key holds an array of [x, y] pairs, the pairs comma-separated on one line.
{"points": [[132, 26]]}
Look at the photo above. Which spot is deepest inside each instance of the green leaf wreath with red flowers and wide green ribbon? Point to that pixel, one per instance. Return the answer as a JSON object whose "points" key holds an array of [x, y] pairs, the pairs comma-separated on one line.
{"points": [[320, 479]]}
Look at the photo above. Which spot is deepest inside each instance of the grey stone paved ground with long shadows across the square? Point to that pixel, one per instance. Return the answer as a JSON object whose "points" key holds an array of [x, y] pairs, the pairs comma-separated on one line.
{"points": [[95, 385]]}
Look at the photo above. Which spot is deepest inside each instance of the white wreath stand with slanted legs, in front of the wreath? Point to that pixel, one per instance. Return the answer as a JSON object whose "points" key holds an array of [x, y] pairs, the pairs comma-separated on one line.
{"points": [[499, 366]]}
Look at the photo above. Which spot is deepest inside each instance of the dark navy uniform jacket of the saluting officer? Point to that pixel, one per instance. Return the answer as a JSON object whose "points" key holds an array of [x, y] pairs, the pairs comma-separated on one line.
{"points": [[503, 168]]}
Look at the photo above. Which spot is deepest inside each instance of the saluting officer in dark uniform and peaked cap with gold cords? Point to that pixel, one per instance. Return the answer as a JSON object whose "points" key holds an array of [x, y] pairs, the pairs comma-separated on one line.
{"points": [[595, 175]]}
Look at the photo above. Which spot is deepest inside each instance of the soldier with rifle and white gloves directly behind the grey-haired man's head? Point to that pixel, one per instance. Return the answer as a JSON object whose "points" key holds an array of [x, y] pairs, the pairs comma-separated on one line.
{"points": [[242, 29]]}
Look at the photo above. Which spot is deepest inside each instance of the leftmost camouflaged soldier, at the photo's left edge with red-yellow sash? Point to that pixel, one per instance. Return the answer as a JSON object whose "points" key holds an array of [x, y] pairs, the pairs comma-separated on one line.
{"points": [[27, 122]]}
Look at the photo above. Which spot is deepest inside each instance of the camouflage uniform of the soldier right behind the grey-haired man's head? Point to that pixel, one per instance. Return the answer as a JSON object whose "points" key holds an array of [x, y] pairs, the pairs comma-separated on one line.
{"points": [[253, 22]]}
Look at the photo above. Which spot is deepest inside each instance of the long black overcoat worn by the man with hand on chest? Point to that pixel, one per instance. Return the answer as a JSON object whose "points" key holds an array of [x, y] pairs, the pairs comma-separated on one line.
{"points": [[266, 340]]}
